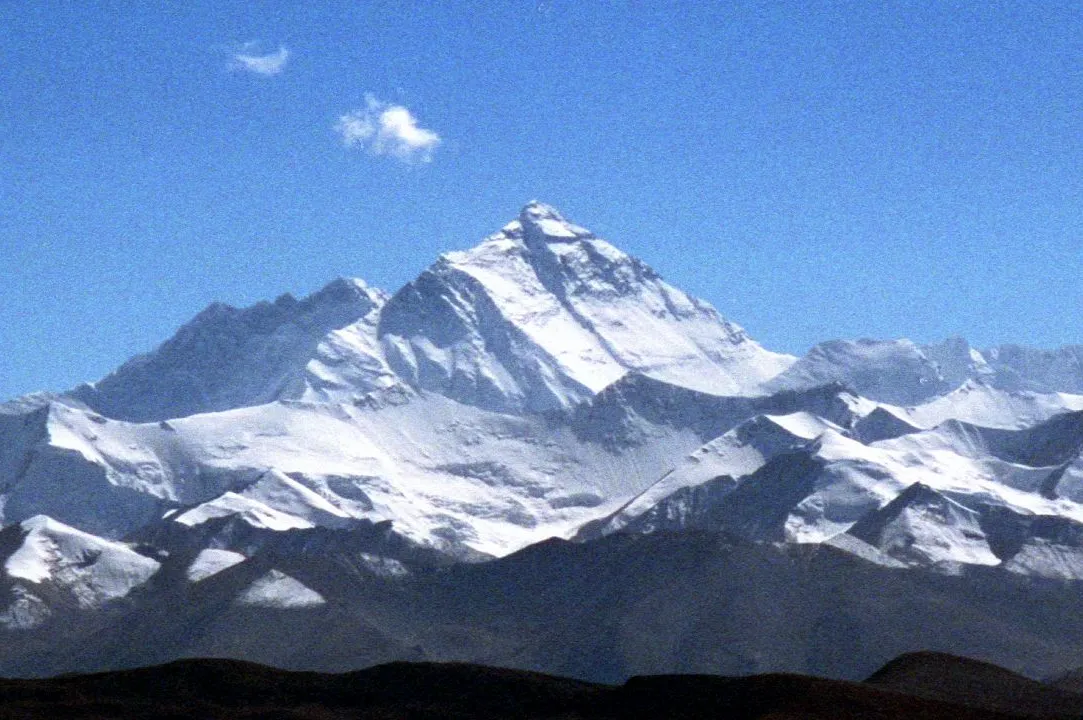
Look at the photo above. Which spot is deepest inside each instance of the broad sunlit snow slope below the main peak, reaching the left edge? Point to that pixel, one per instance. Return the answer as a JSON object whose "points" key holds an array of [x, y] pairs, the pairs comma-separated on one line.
{"points": [[448, 476]]}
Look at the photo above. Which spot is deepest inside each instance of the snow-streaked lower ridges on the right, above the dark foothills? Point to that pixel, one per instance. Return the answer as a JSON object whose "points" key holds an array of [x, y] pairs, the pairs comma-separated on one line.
{"points": [[808, 491]]}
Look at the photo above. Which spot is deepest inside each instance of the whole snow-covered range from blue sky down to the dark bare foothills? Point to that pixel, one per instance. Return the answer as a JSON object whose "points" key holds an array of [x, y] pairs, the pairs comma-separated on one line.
{"points": [[543, 385]]}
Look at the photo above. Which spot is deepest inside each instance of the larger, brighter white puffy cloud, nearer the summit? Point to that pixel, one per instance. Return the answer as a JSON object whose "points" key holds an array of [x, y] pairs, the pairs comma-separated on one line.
{"points": [[385, 129]]}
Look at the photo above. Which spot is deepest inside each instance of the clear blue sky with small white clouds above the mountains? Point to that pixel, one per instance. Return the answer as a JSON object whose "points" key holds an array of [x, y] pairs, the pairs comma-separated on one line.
{"points": [[814, 169]]}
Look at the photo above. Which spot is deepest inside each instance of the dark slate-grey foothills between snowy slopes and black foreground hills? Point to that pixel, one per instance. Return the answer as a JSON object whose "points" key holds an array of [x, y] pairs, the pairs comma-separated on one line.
{"points": [[604, 611]]}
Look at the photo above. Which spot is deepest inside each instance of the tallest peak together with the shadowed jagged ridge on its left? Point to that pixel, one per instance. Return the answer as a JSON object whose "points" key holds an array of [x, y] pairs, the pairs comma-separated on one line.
{"points": [[539, 317]]}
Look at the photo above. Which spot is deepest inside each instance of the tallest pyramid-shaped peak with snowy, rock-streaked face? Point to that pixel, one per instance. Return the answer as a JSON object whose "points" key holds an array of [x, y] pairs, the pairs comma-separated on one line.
{"points": [[544, 315]]}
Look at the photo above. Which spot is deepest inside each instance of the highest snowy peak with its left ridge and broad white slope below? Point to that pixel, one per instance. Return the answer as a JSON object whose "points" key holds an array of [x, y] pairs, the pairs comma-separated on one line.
{"points": [[428, 410]]}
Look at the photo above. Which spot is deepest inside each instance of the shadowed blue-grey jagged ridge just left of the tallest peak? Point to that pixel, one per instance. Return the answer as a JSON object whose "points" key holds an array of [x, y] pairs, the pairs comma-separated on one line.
{"points": [[229, 358]]}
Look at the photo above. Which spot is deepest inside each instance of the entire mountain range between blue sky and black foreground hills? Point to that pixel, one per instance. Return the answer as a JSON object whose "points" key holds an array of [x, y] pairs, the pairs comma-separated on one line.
{"points": [[299, 460]]}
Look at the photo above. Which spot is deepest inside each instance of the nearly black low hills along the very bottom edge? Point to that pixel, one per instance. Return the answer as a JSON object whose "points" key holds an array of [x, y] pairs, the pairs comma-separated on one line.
{"points": [[230, 689]]}
